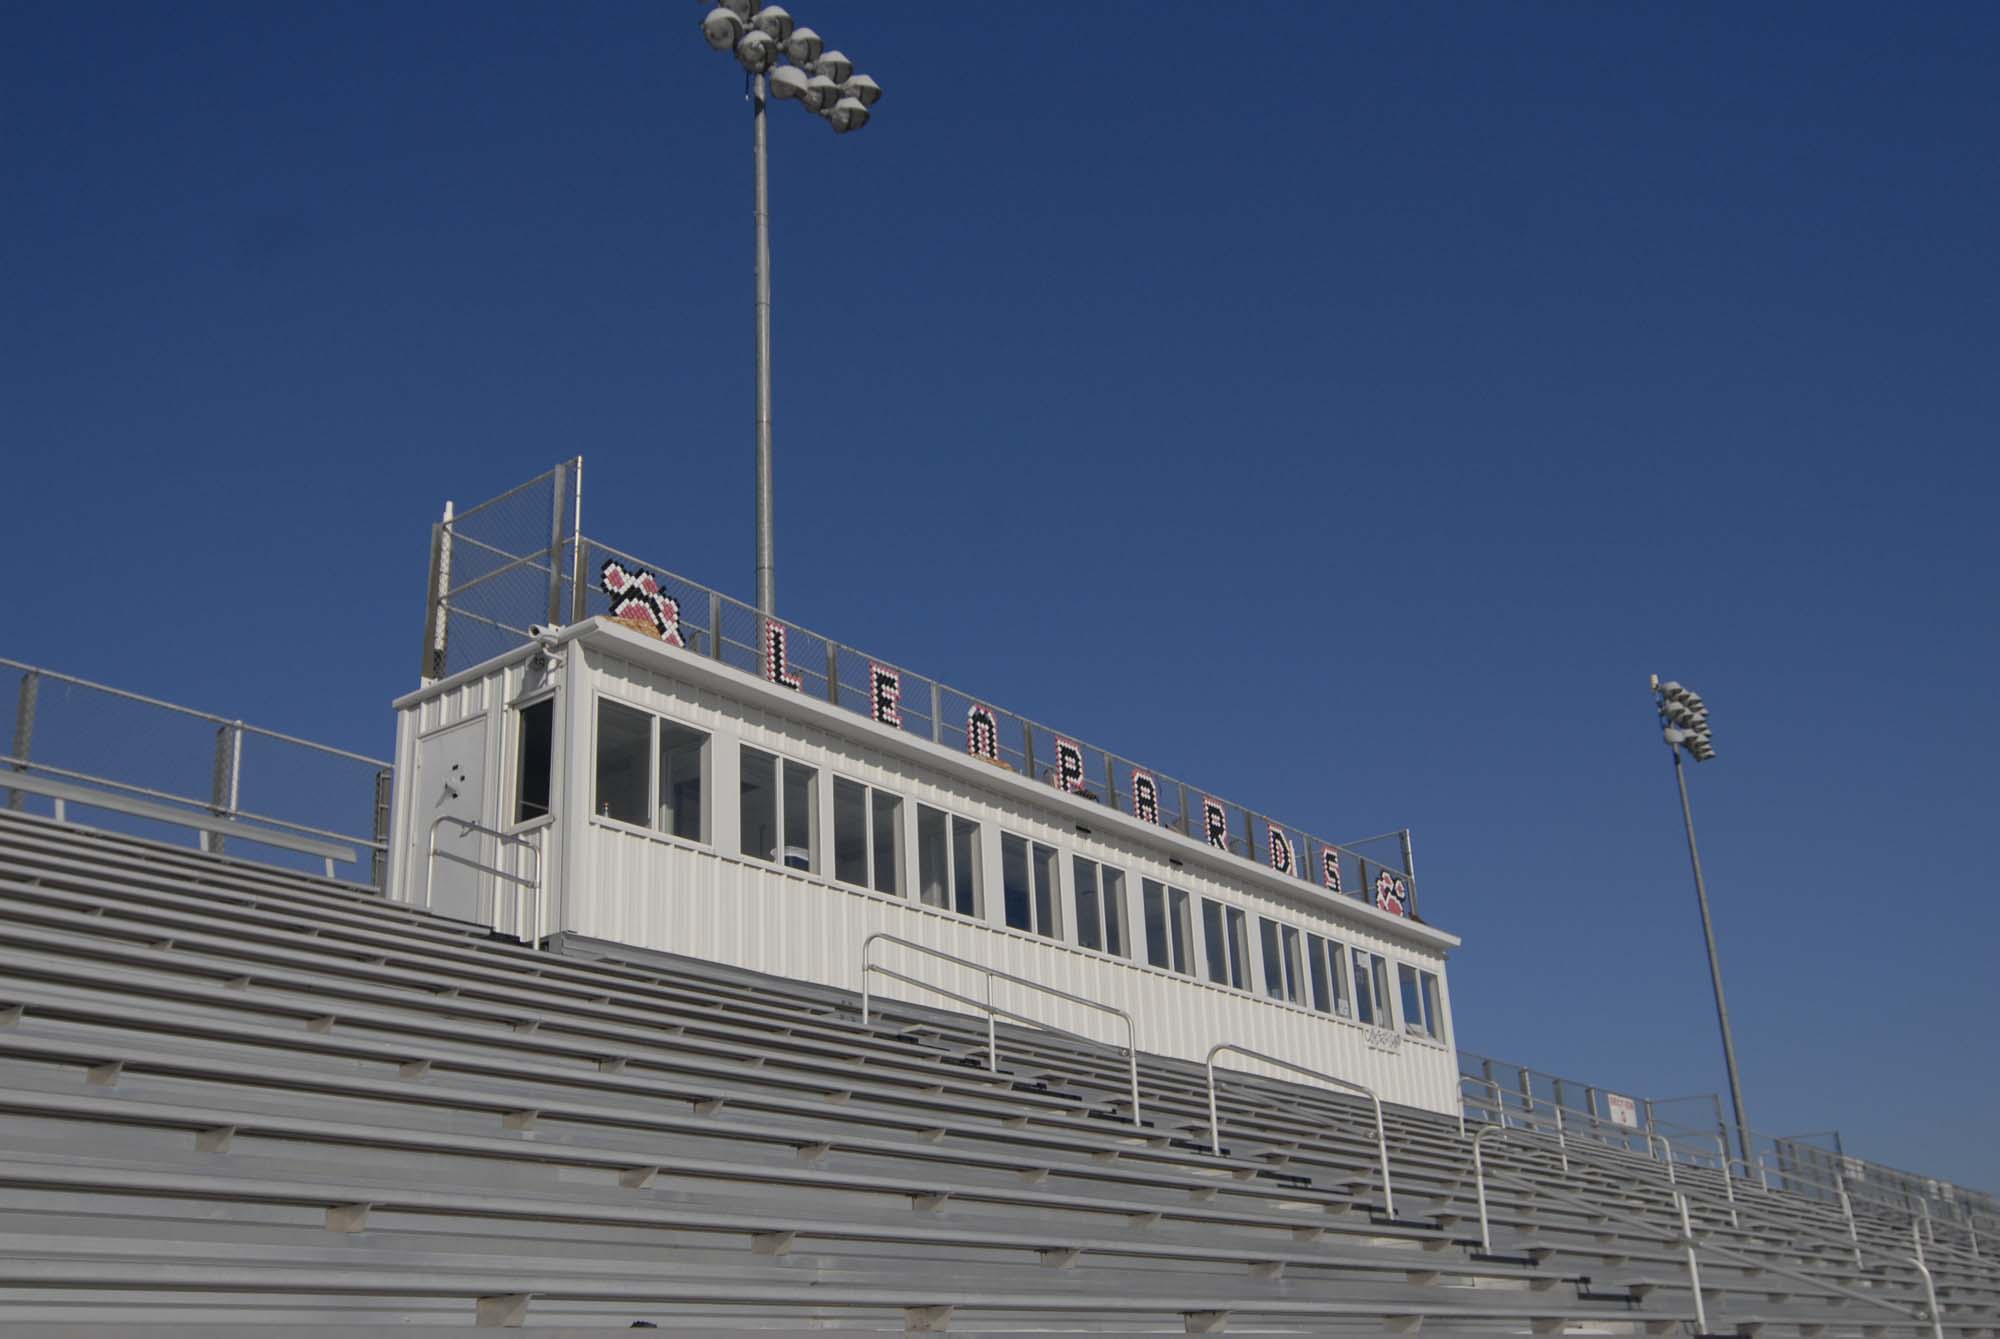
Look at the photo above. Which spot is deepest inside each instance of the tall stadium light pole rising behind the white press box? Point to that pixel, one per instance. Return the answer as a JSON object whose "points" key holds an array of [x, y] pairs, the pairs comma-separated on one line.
{"points": [[763, 39]]}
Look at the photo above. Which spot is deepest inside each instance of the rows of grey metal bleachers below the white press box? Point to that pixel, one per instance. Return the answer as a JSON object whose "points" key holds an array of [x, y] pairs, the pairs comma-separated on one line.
{"points": [[245, 1102]]}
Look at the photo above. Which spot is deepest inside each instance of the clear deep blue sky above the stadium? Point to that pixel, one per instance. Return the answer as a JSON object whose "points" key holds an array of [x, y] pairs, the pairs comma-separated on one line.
{"points": [[1345, 407]]}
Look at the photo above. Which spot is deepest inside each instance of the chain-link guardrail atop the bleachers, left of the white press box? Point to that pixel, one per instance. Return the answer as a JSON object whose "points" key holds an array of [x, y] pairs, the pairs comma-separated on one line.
{"points": [[79, 742]]}
